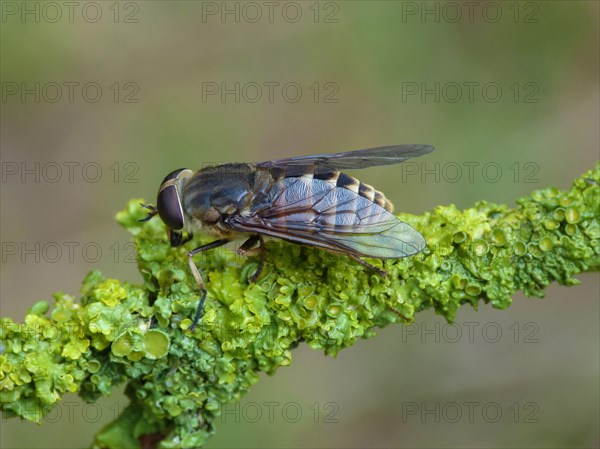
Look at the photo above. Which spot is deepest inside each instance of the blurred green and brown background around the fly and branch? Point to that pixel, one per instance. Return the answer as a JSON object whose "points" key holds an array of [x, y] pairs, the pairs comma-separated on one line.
{"points": [[142, 76]]}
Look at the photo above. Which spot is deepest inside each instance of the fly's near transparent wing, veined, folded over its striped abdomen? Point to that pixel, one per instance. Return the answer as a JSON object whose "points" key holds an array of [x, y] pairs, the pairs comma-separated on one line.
{"points": [[318, 213]]}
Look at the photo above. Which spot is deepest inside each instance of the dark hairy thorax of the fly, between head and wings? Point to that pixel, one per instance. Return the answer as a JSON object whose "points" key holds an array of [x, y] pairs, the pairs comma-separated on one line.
{"points": [[215, 193]]}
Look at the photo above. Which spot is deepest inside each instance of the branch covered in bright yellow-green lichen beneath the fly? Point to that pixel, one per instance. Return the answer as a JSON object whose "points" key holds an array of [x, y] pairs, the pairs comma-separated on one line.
{"points": [[177, 380]]}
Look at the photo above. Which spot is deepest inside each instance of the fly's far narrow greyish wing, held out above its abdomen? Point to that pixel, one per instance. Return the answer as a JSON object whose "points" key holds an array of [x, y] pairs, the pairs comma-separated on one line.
{"points": [[323, 163]]}
